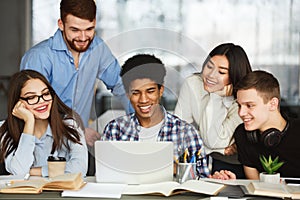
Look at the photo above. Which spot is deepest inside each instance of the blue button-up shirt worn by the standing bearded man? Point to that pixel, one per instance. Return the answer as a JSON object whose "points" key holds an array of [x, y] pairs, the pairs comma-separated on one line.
{"points": [[75, 87]]}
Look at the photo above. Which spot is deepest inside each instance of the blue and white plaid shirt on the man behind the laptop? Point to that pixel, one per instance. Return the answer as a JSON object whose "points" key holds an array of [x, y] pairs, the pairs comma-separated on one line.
{"points": [[182, 134]]}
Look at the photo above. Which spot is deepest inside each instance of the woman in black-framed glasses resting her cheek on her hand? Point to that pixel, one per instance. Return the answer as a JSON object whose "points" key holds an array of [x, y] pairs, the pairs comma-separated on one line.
{"points": [[39, 125]]}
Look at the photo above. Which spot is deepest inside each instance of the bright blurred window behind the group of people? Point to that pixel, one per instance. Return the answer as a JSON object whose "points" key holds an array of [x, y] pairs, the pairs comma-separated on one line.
{"points": [[182, 32]]}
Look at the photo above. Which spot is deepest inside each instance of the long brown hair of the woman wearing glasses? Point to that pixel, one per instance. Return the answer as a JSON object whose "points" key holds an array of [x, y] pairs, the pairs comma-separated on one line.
{"points": [[12, 128]]}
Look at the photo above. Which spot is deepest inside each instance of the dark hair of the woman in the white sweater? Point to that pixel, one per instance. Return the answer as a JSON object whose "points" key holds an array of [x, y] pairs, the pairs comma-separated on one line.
{"points": [[239, 64]]}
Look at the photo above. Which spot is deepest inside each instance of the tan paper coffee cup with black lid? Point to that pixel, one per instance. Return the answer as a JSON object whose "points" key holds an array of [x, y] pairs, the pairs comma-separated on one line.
{"points": [[56, 166]]}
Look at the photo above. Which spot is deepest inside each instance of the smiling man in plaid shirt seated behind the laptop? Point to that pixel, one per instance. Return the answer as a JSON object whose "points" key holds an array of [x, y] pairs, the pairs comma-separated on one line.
{"points": [[143, 79]]}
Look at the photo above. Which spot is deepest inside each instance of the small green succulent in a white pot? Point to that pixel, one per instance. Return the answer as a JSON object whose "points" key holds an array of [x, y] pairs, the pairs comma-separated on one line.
{"points": [[270, 166]]}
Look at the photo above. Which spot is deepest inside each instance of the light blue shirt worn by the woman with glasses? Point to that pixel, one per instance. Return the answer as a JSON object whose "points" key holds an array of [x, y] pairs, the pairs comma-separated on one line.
{"points": [[34, 152]]}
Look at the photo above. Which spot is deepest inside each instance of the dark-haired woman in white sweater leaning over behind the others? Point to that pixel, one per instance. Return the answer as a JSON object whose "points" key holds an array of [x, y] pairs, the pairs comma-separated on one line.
{"points": [[207, 100]]}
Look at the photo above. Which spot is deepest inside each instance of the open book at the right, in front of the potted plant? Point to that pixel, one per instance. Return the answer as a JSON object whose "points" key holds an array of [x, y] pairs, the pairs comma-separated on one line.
{"points": [[273, 190]]}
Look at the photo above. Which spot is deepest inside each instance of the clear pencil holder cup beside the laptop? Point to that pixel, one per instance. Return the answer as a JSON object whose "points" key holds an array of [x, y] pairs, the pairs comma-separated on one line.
{"points": [[185, 171]]}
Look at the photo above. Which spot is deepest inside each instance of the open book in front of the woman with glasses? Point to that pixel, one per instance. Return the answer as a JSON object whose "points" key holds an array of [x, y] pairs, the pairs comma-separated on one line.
{"points": [[35, 186]]}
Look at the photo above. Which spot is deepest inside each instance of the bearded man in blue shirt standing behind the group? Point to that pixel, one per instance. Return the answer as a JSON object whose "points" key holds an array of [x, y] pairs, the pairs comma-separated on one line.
{"points": [[74, 58]]}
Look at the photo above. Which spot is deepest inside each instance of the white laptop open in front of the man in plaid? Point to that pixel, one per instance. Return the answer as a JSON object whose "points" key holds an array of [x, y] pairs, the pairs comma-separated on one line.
{"points": [[133, 162]]}
